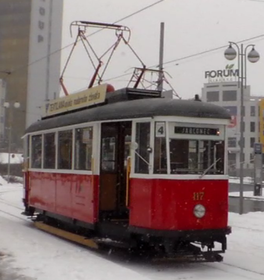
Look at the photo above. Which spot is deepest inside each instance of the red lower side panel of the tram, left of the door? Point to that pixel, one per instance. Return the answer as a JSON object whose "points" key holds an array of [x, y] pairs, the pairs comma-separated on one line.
{"points": [[71, 195]]}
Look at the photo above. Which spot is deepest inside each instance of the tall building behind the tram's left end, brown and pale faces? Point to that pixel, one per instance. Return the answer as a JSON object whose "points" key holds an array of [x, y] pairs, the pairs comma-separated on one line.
{"points": [[30, 37]]}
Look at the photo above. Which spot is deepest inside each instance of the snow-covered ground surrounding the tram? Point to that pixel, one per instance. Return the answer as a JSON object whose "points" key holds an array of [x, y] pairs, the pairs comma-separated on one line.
{"points": [[28, 253]]}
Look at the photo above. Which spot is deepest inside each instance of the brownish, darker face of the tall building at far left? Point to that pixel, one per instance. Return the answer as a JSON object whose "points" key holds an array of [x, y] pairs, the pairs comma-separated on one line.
{"points": [[14, 49]]}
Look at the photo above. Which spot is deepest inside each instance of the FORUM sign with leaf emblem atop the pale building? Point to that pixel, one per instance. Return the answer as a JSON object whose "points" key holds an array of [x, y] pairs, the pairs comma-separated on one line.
{"points": [[229, 74]]}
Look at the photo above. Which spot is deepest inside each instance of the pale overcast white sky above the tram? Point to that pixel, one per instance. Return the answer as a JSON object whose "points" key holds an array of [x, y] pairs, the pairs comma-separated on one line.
{"points": [[191, 26]]}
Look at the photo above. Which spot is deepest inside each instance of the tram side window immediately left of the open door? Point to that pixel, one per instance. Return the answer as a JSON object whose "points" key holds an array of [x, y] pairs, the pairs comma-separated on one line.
{"points": [[83, 148]]}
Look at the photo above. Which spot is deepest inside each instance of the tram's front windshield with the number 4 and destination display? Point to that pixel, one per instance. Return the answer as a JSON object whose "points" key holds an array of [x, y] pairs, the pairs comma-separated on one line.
{"points": [[192, 149]]}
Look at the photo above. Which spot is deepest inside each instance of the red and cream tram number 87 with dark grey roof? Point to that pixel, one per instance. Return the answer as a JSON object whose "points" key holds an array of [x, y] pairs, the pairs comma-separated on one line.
{"points": [[133, 167]]}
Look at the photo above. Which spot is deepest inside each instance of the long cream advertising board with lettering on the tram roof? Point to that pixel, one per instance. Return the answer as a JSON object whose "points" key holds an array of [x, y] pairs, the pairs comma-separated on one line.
{"points": [[86, 98]]}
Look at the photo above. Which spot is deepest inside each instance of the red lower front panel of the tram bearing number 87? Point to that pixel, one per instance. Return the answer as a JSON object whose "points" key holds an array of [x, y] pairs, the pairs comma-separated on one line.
{"points": [[169, 204]]}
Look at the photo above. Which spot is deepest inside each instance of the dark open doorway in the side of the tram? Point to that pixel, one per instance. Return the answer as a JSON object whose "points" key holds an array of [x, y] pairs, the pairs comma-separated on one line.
{"points": [[115, 148]]}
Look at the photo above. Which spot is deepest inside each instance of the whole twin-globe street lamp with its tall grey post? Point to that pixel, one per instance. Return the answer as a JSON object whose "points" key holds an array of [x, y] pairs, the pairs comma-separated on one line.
{"points": [[253, 56]]}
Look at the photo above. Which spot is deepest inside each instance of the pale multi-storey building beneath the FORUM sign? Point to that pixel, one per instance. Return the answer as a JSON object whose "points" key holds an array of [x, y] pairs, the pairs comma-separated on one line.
{"points": [[228, 95]]}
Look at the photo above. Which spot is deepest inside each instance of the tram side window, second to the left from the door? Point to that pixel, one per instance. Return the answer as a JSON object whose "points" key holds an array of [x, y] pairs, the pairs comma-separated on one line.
{"points": [[65, 149]]}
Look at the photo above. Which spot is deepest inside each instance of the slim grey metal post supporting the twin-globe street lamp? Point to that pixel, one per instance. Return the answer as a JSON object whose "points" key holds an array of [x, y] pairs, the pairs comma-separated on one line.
{"points": [[242, 112]]}
